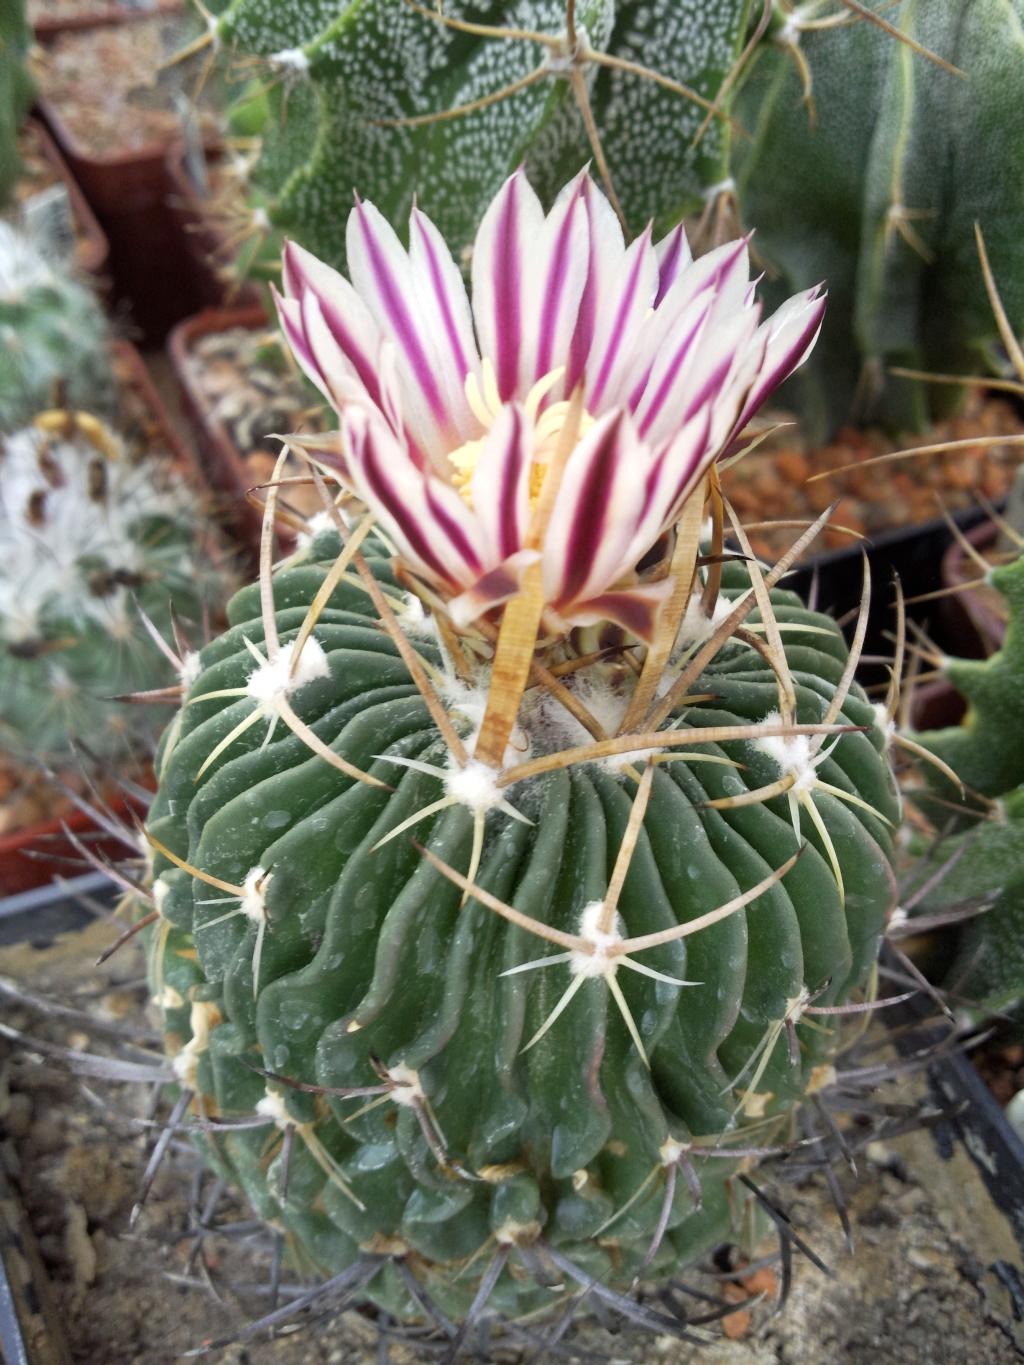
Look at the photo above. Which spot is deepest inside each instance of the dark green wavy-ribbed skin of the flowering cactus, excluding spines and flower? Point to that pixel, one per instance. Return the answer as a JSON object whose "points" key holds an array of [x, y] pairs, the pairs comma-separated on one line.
{"points": [[380, 941]]}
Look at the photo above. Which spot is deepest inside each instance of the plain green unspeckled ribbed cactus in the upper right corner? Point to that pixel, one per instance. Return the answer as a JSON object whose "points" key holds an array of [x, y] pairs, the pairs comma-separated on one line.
{"points": [[869, 166]]}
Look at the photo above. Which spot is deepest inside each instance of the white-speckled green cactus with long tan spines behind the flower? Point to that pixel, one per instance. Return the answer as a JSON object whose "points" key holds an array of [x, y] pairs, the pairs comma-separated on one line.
{"points": [[347, 68]]}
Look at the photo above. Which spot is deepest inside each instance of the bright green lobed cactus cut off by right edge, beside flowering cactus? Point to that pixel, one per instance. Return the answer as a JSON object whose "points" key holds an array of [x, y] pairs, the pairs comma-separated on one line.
{"points": [[984, 855]]}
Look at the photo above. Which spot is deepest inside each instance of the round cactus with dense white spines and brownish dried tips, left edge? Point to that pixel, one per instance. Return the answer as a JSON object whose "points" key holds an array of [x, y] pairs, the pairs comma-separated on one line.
{"points": [[88, 538]]}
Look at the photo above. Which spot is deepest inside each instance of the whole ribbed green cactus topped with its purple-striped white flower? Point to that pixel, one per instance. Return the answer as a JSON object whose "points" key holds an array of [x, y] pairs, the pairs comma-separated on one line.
{"points": [[491, 936]]}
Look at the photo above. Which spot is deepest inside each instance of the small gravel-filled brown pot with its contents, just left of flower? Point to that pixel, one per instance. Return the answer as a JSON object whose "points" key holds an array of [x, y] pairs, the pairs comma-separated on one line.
{"points": [[240, 388]]}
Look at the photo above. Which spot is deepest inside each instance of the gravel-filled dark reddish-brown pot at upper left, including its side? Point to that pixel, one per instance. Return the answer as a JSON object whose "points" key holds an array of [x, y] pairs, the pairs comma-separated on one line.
{"points": [[114, 115]]}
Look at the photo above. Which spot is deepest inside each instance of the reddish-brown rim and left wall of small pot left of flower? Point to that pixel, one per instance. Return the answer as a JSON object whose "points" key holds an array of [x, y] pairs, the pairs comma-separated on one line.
{"points": [[223, 463]]}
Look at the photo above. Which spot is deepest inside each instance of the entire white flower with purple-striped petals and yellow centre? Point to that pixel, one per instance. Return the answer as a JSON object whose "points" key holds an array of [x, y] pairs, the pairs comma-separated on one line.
{"points": [[454, 410]]}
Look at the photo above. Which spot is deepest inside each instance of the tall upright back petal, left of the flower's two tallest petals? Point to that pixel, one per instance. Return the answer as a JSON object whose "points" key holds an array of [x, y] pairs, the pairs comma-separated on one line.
{"points": [[502, 256]]}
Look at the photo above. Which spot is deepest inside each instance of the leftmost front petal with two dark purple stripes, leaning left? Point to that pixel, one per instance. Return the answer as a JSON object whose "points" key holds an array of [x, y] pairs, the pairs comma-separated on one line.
{"points": [[429, 522]]}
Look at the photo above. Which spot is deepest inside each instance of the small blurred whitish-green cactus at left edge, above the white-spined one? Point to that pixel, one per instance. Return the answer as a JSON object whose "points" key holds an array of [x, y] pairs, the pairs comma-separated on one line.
{"points": [[54, 338]]}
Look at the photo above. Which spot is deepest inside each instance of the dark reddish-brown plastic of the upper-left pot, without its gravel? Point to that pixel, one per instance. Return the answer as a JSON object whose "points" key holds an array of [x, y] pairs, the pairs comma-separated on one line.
{"points": [[151, 263]]}
